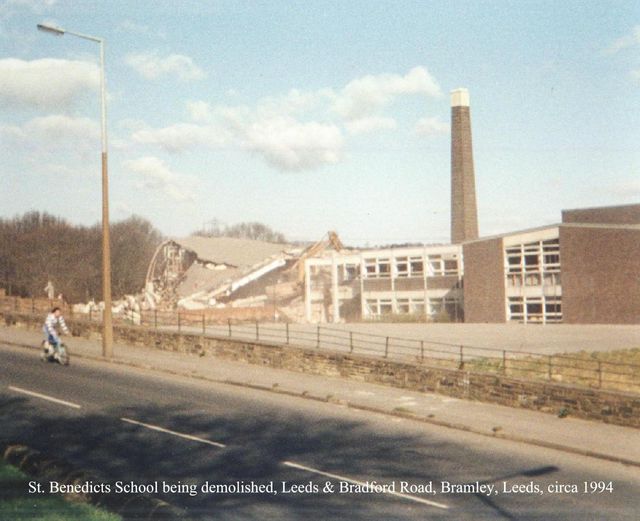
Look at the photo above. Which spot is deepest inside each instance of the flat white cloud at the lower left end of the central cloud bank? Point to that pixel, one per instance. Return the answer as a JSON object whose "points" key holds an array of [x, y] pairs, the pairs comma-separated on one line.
{"points": [[182, 136]]}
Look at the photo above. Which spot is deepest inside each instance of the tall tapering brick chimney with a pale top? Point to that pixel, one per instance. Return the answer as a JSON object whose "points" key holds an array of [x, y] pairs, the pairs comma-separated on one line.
{"points": [[464, 213]]}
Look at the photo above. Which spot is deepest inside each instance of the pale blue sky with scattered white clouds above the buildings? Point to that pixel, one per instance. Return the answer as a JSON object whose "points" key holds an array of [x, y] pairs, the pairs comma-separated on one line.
{"points": [[316, 116]]}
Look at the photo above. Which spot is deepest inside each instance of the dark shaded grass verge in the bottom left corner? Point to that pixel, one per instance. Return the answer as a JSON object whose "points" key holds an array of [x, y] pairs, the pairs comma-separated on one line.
{"points": [[17, 504]]}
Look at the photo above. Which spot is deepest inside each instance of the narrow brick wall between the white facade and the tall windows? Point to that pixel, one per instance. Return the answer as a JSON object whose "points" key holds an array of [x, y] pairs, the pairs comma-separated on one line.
{"points": [[484, 293]]}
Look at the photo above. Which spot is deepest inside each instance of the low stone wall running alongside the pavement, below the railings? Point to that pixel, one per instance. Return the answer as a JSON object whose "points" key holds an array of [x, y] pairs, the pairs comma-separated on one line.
{"points": [[607, 406]]}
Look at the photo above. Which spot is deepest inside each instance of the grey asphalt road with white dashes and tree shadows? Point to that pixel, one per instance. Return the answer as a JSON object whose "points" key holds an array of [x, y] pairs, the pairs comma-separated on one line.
{"points": [[125, 424]]}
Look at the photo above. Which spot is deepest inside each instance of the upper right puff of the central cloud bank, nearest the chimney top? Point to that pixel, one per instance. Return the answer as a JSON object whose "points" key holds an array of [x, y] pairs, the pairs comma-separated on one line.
{"points": [[364, 96]]}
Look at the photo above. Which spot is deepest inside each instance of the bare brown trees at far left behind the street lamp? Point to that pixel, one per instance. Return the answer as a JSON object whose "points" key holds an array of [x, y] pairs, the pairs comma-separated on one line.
{"points": [[39, 247]]}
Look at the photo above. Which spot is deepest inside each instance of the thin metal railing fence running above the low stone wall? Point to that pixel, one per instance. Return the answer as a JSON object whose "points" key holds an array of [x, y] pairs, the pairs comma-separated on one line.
{"points": [[584, 370]]}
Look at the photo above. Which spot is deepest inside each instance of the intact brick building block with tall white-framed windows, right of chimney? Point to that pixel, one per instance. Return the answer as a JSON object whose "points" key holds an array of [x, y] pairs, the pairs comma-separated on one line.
{"points": [[584, 270]]}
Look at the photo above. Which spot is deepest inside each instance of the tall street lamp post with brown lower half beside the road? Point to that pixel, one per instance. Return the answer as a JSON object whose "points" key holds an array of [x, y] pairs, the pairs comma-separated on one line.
{"points": [[107, 326]]}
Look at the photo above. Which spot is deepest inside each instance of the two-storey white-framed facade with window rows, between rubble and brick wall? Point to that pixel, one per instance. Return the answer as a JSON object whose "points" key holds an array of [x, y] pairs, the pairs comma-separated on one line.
{"points": [[425, 282]]}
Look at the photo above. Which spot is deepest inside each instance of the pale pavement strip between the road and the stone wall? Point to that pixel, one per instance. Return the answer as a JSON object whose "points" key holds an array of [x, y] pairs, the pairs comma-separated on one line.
{"points": [[600, 440]]}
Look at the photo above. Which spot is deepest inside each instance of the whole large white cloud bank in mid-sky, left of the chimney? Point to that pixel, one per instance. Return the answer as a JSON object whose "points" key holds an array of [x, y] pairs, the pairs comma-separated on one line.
{"points": [[298, 130]]}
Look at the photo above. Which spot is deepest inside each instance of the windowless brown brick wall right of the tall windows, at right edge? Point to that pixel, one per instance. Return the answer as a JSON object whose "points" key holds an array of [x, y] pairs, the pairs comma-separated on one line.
{"points": [[600, 275]]}
